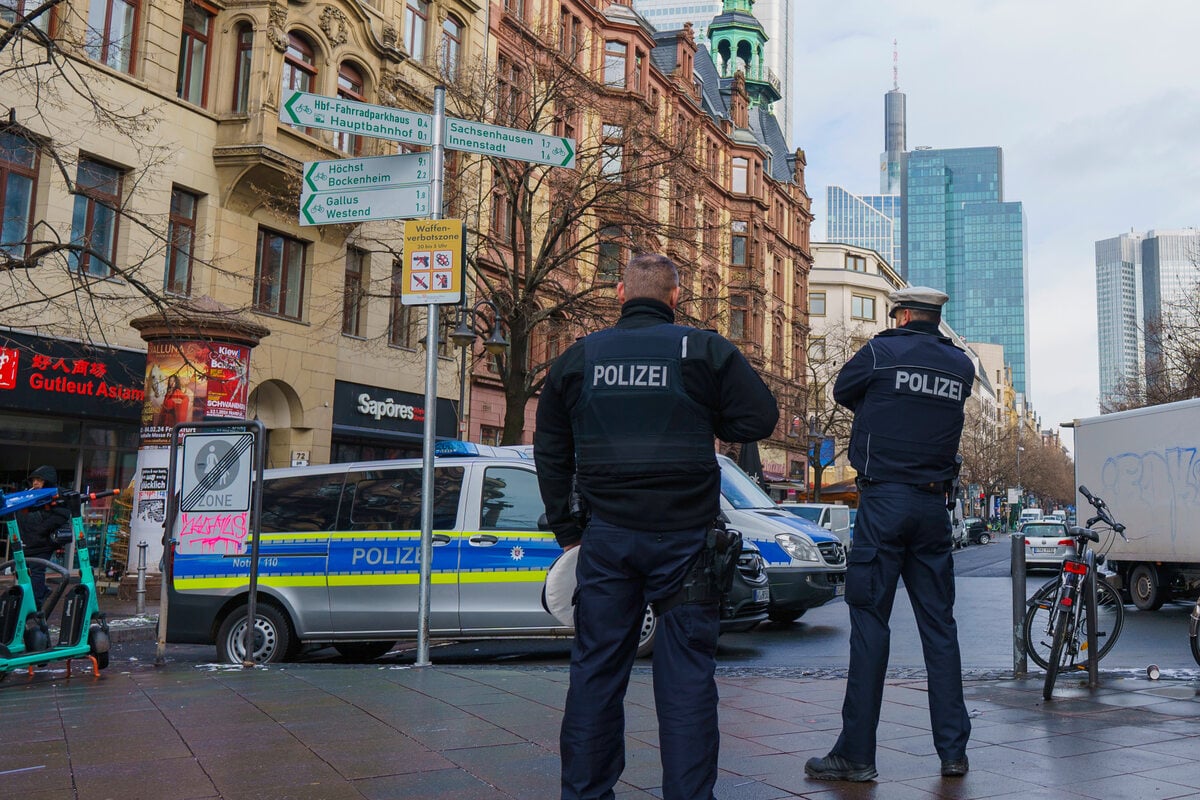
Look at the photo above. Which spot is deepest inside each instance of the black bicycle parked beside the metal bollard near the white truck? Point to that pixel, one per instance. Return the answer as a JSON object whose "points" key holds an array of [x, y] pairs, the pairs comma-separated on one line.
{"points": [[1055, 629]]}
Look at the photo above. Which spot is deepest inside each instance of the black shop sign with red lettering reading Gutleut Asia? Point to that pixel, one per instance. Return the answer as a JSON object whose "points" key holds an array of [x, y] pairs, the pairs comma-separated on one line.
{"points": [[58, 377]]}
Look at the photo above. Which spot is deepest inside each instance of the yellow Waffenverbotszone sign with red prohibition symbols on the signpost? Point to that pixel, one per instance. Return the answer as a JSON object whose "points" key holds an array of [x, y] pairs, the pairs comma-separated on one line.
{"points": [[435, 251]]}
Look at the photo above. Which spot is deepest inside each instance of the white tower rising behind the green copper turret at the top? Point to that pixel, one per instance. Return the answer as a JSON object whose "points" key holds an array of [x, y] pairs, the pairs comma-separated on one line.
{"points": [[775, 16]]}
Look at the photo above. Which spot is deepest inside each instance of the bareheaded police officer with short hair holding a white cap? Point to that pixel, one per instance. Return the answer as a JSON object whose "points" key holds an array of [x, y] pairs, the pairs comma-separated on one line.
{"points": [[629, 414]]}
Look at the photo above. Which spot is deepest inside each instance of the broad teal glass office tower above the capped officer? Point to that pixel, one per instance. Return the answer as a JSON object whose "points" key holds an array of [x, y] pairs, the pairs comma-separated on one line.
{"points": [[961, 236]]}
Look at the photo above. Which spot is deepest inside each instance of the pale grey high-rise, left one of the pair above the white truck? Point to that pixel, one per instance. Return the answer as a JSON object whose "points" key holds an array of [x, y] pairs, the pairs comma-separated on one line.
{"points": [[1119, 312]]}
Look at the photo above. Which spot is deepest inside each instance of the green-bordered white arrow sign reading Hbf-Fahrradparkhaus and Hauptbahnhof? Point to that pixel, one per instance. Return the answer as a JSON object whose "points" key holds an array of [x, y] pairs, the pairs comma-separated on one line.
{"points": [[352, 117]]}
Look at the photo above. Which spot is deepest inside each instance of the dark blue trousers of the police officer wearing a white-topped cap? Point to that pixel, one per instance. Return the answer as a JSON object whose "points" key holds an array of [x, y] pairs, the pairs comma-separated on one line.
{"points": [[902, 532]]}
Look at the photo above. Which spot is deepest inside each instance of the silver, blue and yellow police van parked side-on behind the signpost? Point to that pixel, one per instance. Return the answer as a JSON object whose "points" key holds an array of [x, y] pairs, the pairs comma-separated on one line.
{"points": [[340, 558]]}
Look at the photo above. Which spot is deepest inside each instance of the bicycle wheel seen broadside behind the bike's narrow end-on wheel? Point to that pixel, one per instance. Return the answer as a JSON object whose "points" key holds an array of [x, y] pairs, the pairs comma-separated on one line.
{"points": [[1040, 637]]}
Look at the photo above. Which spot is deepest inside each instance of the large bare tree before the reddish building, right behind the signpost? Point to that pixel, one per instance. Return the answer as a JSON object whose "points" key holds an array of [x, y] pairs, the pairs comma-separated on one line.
{"points": [[548, 244]]}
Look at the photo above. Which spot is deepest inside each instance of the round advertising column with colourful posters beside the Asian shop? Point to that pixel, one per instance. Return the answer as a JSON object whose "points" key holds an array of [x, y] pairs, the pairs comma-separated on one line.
{"points": [[197, 369]]}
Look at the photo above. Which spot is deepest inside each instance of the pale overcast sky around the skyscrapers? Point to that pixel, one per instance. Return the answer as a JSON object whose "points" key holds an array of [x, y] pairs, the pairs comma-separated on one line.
{"points": [[1097, 109]]}
